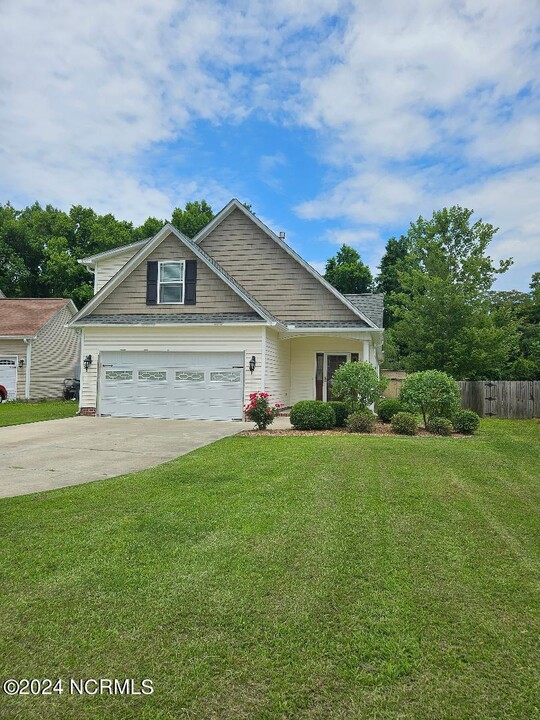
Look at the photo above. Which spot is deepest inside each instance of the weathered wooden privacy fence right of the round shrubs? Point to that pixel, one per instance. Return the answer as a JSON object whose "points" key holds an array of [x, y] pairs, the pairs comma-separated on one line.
{"points": [[518, 399]]}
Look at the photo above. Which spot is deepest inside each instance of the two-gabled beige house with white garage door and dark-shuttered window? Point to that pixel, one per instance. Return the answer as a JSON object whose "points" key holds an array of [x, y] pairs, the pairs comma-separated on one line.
{"points": [[186, 328]]}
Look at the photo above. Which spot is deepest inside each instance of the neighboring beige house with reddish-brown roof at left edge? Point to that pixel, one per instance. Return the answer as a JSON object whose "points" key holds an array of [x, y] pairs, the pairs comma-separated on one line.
{"points": [[37, 350]]}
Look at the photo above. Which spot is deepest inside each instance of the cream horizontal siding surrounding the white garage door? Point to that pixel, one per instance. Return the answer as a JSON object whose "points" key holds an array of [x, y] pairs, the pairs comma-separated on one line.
{"points": [[160, 339]]}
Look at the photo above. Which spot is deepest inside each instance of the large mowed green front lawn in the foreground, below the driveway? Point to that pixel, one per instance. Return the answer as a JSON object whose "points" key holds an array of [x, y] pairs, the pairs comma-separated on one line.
{"points": [[306, 577]]}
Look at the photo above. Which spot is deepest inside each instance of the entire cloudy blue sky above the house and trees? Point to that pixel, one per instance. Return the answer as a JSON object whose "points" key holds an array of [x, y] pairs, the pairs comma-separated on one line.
{"points": [[338, 121]]}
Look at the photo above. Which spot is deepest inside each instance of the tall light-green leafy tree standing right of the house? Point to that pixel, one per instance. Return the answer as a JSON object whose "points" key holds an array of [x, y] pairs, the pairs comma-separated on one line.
{"points": [[445, 320]]}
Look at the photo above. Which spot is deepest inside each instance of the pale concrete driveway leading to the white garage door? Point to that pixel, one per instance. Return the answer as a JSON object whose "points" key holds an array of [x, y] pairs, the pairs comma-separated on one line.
{"points": [[57, 453]]}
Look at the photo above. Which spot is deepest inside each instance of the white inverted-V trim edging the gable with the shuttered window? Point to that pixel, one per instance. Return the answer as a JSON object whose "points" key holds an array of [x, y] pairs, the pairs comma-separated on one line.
{"points": [[144, 252]]}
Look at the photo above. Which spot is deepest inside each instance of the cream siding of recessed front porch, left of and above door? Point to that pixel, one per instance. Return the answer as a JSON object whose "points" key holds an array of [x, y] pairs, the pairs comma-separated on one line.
{"points": [[303, 352]]}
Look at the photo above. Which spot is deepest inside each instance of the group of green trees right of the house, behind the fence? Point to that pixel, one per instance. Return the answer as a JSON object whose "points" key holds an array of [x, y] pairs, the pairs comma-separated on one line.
{"points": [[441, 311]]}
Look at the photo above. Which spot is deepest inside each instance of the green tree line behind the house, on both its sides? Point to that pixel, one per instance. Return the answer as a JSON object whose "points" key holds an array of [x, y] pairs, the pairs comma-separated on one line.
{"points": [[441, 311]]}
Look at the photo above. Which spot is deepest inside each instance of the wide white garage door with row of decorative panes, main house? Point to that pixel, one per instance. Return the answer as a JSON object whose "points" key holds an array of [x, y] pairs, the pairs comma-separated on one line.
{"points": [[208, 386]]}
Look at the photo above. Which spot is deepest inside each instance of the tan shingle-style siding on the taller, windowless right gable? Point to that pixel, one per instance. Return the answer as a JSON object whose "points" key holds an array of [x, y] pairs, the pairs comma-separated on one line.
{"points": [[270, 274]]}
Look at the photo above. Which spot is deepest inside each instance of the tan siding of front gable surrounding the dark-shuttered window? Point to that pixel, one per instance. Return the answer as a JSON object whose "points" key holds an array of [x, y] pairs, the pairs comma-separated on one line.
{"points": [[213, 295]]}
